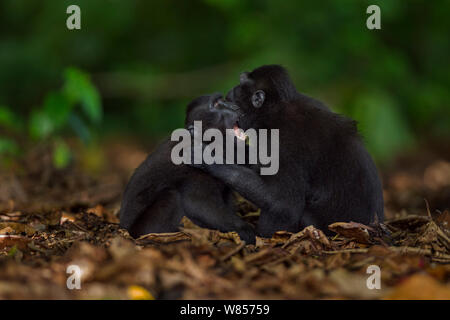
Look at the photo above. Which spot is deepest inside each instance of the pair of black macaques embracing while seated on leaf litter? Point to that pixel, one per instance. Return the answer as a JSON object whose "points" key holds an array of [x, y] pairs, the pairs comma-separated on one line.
{"points": [[319, 171]]}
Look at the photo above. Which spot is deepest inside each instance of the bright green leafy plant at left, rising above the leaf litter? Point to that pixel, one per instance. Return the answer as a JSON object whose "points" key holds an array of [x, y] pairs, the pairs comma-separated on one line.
{"points": [[76, 106]]}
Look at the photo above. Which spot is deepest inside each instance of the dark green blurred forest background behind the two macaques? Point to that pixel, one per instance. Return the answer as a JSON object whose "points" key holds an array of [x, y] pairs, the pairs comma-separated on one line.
{"points": [[150, 58]]}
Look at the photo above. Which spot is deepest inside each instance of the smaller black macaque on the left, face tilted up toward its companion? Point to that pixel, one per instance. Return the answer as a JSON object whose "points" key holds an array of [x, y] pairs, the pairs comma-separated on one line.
{"points": [[160, 193]]}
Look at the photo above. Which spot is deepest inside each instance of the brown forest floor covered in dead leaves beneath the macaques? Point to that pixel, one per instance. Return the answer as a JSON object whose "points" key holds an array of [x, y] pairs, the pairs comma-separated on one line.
{"points": [[51, 219]]}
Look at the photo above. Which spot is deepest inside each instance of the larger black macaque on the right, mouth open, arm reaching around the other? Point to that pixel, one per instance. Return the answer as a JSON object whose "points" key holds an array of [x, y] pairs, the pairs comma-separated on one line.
{"points": [[325, 173]]}
